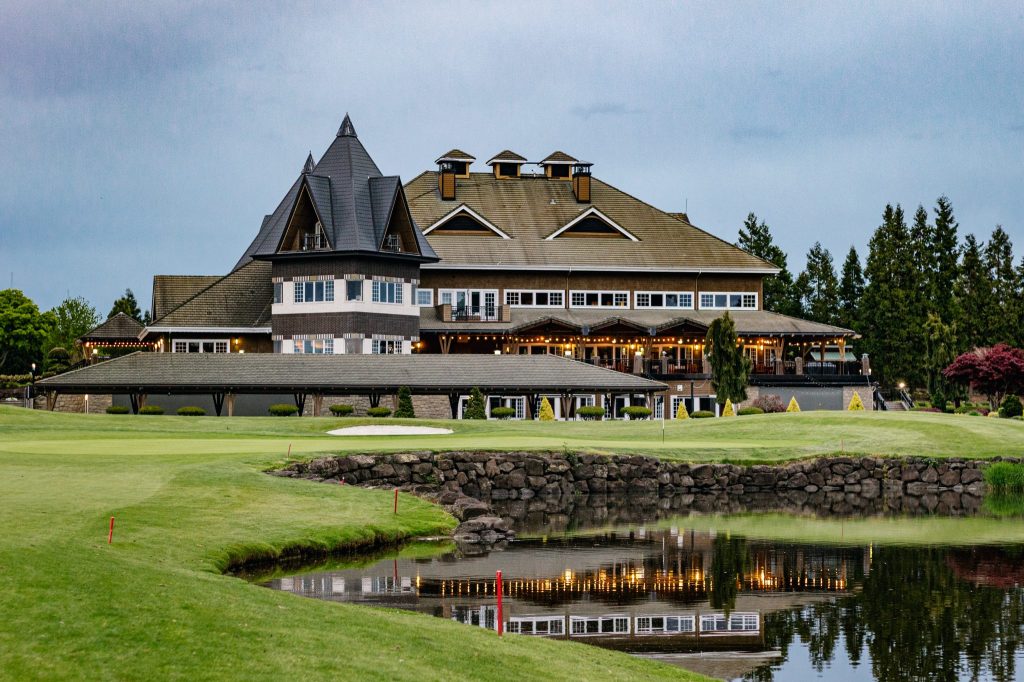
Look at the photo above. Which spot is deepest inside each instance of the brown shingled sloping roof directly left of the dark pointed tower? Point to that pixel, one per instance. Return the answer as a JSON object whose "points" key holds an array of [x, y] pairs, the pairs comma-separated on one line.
{"points": [[239, 301]]}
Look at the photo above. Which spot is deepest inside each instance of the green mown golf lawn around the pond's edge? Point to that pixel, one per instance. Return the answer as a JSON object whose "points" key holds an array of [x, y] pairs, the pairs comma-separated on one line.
{"points": [[190, 497]]}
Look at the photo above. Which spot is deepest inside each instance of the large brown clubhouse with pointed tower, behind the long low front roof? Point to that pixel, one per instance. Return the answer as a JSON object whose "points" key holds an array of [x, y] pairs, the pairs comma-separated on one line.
{"points": [[508, 258]]}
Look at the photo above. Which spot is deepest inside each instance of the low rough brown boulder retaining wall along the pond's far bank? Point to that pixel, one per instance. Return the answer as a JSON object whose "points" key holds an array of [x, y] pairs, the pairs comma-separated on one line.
{"points": [[837, 484]]}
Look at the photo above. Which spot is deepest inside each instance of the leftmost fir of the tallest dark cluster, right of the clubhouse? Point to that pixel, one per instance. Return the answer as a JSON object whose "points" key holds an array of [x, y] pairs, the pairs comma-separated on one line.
{"points": [[885, 324]]}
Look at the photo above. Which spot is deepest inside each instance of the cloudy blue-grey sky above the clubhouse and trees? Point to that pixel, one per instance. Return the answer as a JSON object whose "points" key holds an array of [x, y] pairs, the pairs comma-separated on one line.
{"points": [[142, 139]]}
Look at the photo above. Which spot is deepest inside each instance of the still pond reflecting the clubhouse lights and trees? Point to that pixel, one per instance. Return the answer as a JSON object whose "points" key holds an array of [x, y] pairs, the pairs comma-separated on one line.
{"points": [[749, 596]]}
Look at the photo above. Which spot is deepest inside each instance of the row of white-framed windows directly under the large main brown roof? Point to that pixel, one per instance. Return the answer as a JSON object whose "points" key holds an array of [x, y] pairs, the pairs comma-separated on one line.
{"points": [[524, 299]]}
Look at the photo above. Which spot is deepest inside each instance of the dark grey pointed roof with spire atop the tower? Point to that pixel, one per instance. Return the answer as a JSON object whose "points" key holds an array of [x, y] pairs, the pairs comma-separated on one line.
{"points": [[342, 189]]}
